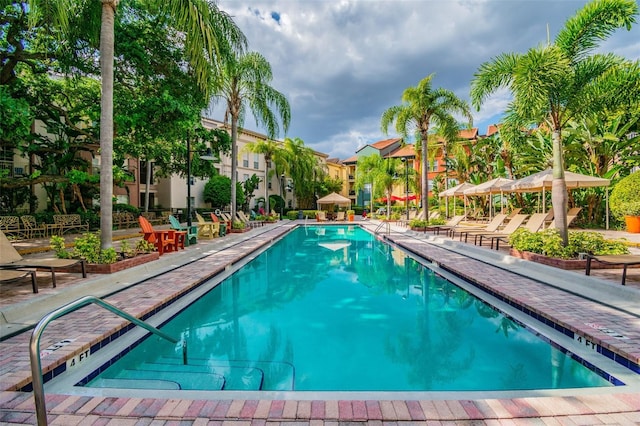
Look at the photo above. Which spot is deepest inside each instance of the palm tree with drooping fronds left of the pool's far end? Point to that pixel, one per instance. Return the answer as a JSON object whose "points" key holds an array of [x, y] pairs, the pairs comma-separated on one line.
{"points": [[243, 83]]}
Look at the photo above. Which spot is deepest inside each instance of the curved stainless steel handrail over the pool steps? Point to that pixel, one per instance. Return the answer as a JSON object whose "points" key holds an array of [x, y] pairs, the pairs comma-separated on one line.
{"points": [[34, 345]]}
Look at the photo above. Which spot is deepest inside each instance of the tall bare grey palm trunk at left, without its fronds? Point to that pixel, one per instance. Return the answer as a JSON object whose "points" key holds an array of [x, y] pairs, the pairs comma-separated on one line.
{"points": [[106, 122]]}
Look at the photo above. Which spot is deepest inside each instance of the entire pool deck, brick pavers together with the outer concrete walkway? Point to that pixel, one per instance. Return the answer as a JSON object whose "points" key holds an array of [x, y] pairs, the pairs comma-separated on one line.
{"points": [[570, 298]]}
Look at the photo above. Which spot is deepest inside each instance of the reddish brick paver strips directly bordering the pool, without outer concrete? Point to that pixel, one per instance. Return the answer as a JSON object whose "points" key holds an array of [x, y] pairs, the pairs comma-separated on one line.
{"points": [[90, 325]]}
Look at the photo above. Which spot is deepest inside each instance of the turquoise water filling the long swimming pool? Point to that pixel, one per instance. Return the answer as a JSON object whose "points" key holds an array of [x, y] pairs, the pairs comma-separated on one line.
{"points": [[333, 309]]}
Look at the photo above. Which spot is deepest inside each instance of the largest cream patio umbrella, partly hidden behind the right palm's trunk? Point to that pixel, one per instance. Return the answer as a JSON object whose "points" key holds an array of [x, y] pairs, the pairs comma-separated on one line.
{"points": [[543, 180]]}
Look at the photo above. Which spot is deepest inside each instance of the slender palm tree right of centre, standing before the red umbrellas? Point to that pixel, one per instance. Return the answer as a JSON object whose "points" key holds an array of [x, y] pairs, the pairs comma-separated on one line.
{"points": [[423, 106]]}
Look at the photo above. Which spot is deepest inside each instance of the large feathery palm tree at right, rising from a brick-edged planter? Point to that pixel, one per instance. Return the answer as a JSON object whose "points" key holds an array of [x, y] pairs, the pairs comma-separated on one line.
{"points": [[558, 82]]}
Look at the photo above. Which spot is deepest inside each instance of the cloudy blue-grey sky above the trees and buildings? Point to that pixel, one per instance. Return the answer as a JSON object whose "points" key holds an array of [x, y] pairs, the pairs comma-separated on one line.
{"points": [[341, 63]]}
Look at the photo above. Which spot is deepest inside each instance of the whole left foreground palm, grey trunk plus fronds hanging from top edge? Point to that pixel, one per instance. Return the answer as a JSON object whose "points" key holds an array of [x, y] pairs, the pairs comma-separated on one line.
{"points": [[210, 37]]}
